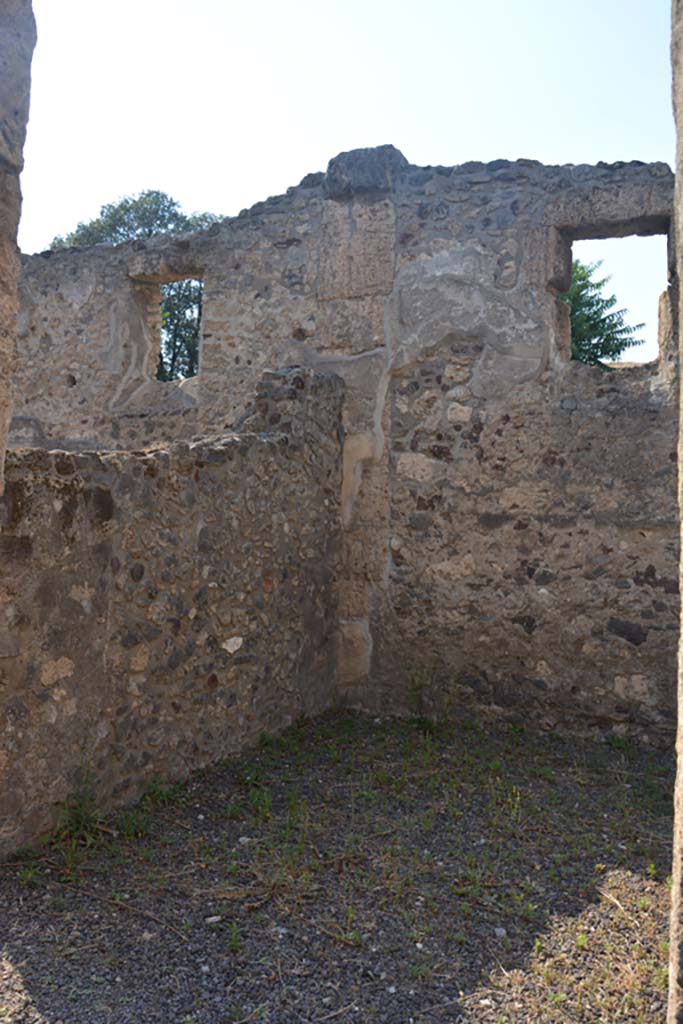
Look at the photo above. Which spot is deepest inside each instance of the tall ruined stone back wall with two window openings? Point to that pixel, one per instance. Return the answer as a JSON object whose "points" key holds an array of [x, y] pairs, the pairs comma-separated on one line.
{"points": [[508, 539]]}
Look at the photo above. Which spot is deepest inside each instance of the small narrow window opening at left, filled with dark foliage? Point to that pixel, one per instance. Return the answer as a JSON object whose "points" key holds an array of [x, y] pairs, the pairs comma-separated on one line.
{"points": [[179, 357]]}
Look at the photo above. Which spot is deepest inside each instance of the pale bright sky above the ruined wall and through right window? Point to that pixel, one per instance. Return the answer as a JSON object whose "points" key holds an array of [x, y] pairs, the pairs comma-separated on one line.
{"points": [[224, 103]]}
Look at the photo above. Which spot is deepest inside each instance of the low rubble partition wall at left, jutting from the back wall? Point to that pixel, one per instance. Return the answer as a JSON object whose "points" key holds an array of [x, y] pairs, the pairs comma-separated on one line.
{"points": [[165, 608]]}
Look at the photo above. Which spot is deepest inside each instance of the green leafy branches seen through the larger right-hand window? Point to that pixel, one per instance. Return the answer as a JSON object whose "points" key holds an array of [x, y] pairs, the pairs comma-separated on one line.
{"points": [[599, 330]]}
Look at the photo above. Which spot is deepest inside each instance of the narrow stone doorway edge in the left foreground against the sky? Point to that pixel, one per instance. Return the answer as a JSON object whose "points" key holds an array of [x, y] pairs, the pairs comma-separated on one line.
{"points": [[18, 37]]}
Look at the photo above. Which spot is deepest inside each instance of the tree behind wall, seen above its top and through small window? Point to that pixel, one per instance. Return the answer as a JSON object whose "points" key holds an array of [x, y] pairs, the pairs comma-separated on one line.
{"points": [[143, 217]]}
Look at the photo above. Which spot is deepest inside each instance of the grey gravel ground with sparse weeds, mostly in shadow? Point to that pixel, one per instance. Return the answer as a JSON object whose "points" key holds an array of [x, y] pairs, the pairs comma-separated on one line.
{"points": [[355, 871]]}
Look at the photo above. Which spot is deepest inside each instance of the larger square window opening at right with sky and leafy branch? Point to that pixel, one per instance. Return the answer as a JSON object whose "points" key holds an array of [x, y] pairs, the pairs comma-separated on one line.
{"points": [[615, 301]]}
